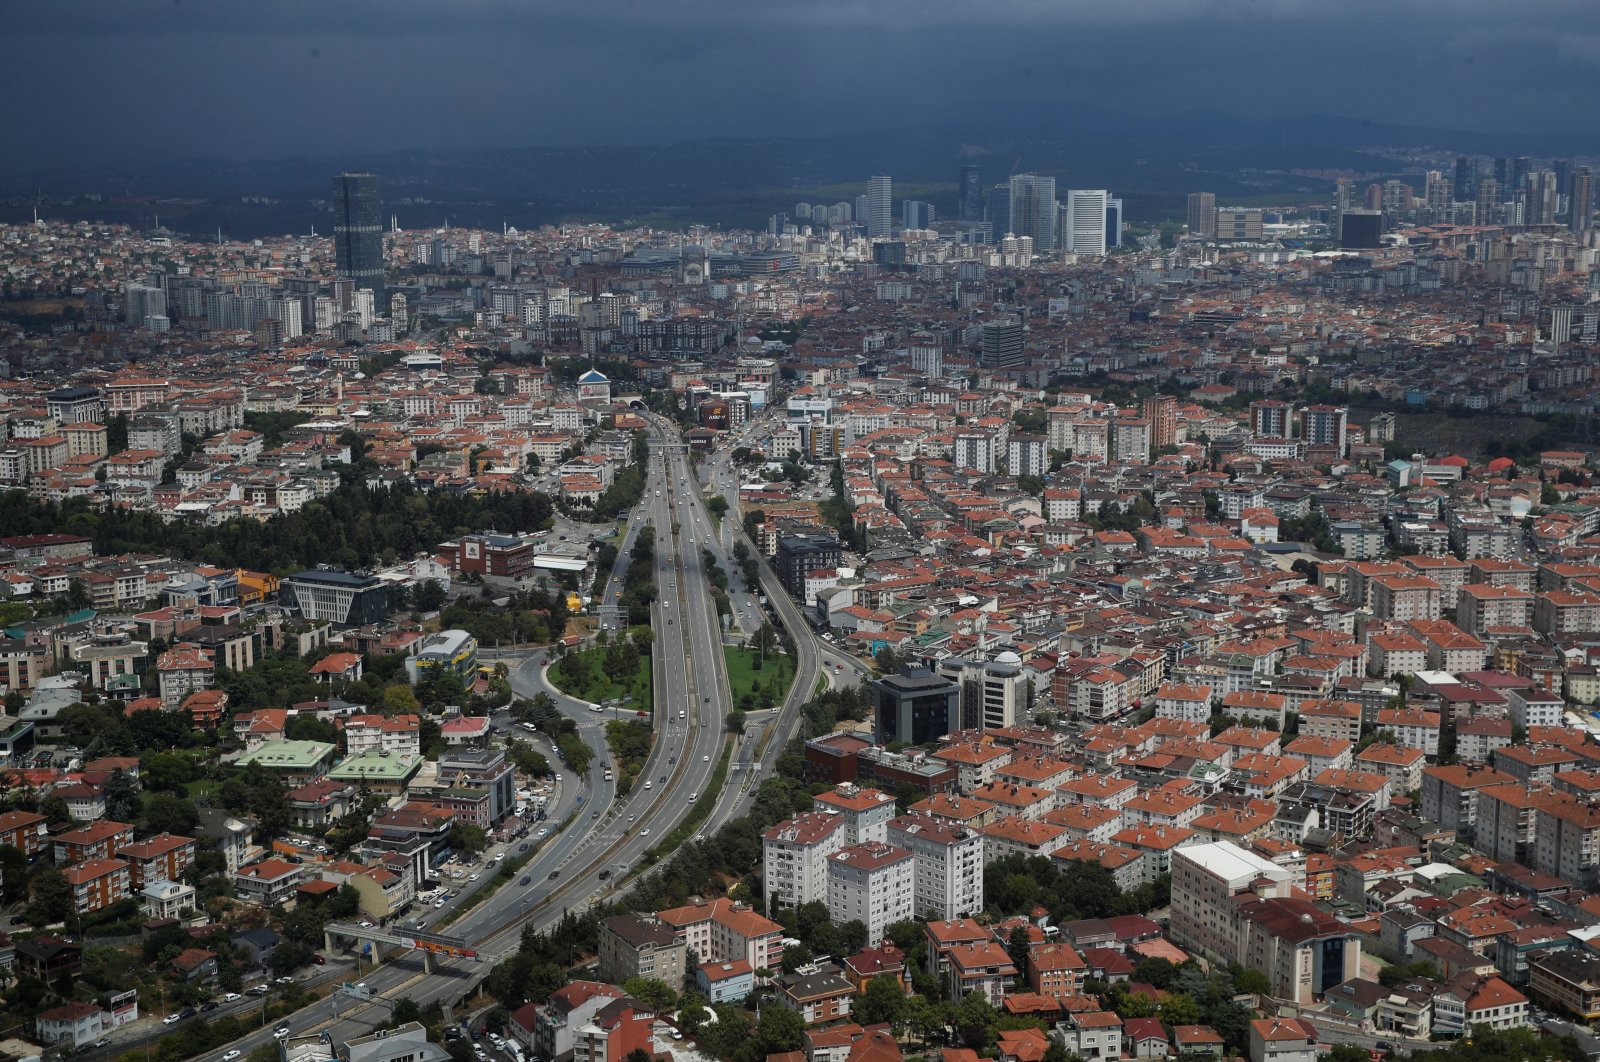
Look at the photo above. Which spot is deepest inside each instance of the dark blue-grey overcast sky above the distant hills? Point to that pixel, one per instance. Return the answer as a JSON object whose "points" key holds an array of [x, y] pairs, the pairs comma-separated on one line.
{"points": [[260, 79]]}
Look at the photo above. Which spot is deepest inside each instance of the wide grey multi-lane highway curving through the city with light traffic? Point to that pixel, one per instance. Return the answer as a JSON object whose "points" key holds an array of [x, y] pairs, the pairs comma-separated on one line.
{"points": [[606, 836]]}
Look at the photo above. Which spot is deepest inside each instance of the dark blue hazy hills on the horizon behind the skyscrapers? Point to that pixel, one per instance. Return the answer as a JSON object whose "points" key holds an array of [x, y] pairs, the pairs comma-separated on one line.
{"points": [[1151, 159]]}
